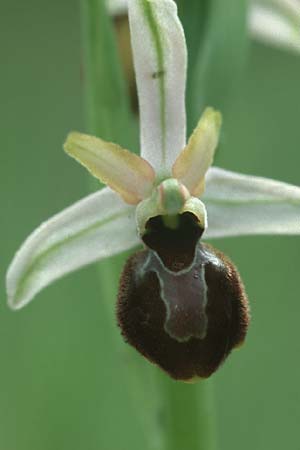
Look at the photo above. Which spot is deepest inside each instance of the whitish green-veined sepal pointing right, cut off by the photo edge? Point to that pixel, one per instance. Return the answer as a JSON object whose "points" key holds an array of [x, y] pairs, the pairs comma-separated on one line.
{"points": [[244, 205]]}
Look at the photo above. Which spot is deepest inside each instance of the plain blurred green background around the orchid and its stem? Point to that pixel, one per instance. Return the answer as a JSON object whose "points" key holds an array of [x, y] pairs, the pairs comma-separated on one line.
{"points": [[61, 384]]}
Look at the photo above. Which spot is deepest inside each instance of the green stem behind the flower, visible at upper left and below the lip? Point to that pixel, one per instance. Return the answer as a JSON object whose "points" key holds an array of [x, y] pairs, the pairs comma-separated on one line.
{"points": [[173, 415]]}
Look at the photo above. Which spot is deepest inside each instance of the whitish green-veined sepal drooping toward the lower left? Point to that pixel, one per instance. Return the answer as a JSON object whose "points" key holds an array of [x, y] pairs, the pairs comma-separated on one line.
{"points": [[94, 228]]}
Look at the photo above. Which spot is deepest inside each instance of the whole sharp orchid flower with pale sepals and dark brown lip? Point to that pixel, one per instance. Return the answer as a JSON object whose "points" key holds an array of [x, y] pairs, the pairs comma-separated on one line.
{"points": [[181, 302]]}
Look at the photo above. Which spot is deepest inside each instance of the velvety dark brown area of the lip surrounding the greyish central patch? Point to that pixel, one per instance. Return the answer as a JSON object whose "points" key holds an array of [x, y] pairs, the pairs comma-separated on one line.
{"points": [[141, 316]]}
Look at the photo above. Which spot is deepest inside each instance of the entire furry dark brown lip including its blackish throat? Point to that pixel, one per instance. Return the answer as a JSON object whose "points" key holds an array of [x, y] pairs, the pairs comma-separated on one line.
{"points": [[182, 303]]}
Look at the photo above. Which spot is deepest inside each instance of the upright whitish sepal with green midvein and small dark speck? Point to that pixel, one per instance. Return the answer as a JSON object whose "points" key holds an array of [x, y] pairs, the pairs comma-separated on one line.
{"points": [[160, 60]]}
